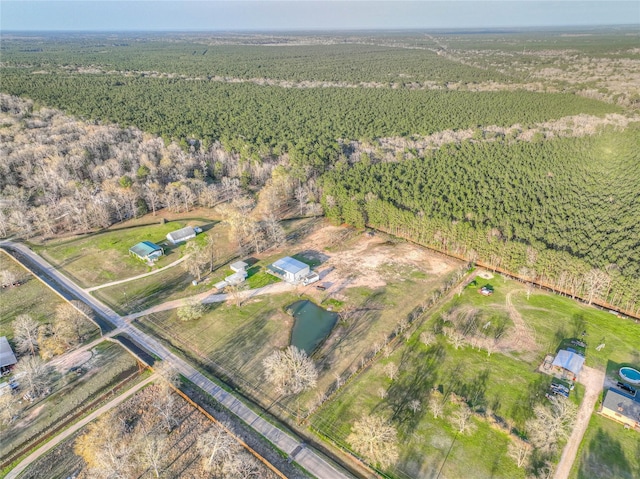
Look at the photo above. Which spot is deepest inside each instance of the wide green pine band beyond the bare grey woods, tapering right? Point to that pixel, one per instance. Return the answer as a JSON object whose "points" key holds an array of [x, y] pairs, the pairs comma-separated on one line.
{"points": [[307, 123]]}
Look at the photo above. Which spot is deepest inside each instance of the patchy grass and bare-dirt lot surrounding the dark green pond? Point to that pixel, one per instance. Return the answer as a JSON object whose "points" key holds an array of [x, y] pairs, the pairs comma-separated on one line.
{"points": [[234, 341]]}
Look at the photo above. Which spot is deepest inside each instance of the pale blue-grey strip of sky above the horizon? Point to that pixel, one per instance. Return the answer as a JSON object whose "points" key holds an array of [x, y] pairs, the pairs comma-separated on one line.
{"points": [[274, 15]]}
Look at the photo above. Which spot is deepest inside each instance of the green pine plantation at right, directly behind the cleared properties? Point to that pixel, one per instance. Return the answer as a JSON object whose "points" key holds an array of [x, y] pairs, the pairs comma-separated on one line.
{"points": [[552, 210]]}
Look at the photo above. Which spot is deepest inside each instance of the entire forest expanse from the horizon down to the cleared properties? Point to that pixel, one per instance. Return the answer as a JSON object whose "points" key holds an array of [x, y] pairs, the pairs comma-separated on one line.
{"points": [[436, 138]]}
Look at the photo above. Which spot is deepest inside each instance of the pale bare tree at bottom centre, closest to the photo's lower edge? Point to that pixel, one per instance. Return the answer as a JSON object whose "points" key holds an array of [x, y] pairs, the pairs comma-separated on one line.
{"points": [[376, 439]]}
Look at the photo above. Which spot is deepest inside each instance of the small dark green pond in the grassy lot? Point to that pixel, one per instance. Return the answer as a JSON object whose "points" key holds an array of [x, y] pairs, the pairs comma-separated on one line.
{"points": [[312, 325]]}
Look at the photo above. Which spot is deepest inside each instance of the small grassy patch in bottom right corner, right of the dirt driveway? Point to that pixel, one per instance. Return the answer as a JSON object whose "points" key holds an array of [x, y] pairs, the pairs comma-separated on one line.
{"points": [[607, 451]]}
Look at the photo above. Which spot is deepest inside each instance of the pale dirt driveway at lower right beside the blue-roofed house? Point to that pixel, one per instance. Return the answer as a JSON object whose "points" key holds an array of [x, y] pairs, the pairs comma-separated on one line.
{"points": [[593, 381]]}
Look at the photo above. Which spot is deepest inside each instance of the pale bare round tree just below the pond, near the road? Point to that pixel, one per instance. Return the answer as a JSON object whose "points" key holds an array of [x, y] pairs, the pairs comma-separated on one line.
{"points": [[291, 371]]}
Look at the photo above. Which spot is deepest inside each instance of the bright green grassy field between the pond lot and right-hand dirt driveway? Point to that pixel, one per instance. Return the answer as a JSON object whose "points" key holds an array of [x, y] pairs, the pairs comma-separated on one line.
{"points": [[503, 387]]}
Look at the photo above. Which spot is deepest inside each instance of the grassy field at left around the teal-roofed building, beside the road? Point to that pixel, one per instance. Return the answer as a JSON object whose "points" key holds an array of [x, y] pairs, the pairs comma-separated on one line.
{"points": [[104, 257]]}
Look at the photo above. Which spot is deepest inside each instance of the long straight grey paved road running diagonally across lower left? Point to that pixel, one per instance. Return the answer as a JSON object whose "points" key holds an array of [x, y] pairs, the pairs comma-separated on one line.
{"points": [[306, 457]]}
